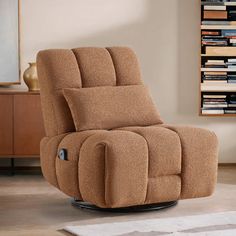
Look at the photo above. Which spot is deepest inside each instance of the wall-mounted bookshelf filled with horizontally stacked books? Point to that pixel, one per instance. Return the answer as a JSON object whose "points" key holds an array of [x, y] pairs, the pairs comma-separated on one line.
{"points": [[218, 58]]}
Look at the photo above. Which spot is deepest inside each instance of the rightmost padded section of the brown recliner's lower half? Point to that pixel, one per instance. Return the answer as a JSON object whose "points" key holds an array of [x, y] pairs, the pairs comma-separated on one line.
{"points": [[199, 149]]}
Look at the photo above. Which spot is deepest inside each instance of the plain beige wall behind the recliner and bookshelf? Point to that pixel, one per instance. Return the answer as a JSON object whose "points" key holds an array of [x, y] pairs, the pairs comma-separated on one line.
{"points": [[165, 35]]}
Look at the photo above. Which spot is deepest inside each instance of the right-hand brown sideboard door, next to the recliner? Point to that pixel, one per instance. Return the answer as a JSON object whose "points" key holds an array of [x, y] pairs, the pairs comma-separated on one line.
{"points": [[28, 124]]}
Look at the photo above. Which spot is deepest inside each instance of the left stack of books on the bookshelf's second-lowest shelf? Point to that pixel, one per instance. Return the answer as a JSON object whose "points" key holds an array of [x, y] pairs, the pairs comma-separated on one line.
{"points": [[215, 77]]}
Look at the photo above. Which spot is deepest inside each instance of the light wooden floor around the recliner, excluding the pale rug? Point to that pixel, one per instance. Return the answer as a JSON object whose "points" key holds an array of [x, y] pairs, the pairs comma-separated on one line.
{"points": [[31, 207]]}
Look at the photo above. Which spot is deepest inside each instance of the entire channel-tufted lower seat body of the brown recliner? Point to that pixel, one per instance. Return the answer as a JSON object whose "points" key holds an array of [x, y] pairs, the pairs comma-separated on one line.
{"points": [[133, 165]]}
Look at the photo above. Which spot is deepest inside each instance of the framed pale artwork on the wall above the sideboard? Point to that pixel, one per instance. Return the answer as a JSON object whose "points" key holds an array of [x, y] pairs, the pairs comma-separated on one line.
{"points": [[9, 42]]}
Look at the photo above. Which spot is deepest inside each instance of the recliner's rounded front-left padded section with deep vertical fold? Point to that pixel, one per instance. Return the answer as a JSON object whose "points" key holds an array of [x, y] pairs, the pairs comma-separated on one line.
{"points": [[113, 169]]}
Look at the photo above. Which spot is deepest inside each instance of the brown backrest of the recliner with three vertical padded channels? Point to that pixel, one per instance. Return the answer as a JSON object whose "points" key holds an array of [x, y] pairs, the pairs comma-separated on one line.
{"points": [[78, 68]]}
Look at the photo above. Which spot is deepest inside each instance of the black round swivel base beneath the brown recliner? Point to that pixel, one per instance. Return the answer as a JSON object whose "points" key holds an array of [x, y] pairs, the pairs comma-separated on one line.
{"points": [[141, 208]]}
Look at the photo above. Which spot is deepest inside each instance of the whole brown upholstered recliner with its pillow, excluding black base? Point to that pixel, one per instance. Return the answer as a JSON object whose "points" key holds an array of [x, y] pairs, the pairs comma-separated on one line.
{"points": [[109, 146]]}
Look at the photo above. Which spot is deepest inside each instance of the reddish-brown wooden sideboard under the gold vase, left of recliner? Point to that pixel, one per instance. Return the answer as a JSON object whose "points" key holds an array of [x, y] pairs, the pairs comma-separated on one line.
{"points": [[21, 124]]}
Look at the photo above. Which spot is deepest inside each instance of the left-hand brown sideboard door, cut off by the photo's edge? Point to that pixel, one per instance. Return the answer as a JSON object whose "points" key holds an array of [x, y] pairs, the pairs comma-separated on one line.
{"points": [[6, 124]]}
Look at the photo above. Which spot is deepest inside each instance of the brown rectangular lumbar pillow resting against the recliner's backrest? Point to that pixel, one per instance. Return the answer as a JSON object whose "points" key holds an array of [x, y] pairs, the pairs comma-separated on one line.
{"points": [[111, 107]]}
